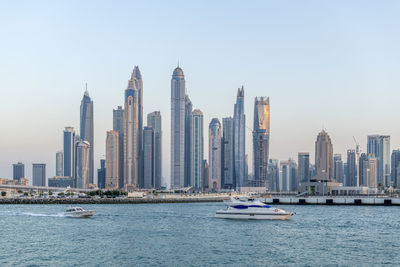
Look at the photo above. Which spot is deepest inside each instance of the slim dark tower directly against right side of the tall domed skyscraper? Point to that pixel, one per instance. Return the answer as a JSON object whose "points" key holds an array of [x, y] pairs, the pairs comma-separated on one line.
{"points": [[188, 136]]}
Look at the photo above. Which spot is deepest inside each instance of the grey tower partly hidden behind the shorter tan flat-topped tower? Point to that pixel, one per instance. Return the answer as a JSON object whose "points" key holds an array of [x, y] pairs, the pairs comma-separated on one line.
{"points": [[118, 126]]}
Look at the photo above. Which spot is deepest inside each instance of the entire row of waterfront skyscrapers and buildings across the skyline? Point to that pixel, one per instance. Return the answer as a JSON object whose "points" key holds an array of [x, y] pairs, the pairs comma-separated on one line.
{"points": [[133, 158]]}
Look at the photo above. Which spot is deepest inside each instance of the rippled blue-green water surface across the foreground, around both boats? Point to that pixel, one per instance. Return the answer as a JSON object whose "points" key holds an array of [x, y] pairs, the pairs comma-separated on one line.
{"points": [[189, 235]]}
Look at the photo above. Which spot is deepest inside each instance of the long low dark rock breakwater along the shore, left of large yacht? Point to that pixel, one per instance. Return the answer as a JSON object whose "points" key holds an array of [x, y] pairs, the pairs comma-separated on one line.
{"points": [[73, 201]]}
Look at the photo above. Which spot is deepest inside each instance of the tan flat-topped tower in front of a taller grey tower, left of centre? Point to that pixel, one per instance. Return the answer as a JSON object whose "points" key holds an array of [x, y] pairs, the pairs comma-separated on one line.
{"points": [[112, 160]]}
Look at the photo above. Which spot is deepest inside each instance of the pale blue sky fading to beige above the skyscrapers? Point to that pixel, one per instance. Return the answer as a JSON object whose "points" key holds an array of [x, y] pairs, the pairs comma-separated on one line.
{"points": [[330, 65]]}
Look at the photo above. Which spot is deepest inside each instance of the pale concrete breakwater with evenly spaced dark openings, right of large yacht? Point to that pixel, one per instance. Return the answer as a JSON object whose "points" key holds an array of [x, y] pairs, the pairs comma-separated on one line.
{"points": [[373, 201]]}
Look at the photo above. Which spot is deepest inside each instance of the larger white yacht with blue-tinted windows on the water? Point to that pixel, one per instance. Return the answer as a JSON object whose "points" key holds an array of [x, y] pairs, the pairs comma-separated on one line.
{"points": [[256, 210]]}
